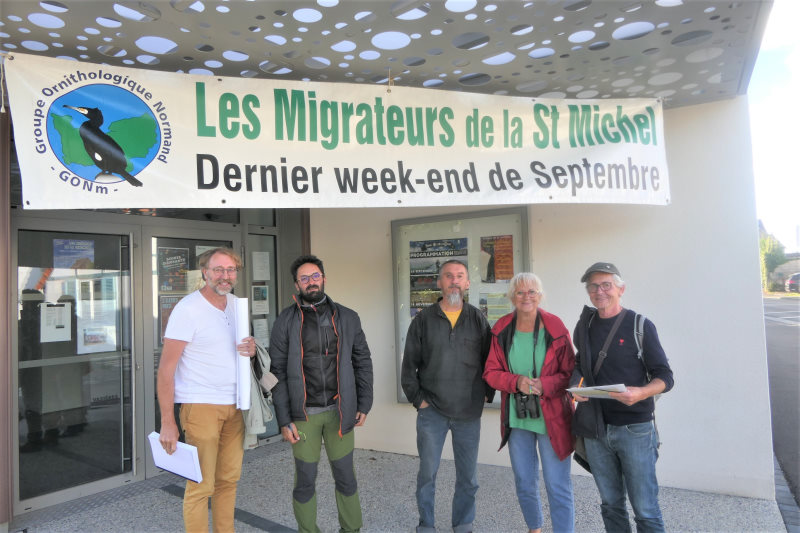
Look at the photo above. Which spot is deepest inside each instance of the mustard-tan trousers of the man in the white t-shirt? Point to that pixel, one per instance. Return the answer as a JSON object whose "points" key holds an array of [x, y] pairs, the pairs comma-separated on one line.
{"points": [[218, 433]]}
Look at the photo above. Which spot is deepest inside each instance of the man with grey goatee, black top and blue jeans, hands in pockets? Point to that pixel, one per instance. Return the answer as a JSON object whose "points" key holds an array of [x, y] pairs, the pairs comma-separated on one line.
{"points": [[446, 349]]}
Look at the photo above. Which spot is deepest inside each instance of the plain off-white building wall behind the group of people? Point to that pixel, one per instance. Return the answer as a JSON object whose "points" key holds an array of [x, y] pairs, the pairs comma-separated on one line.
{"points": [[692, 267]]}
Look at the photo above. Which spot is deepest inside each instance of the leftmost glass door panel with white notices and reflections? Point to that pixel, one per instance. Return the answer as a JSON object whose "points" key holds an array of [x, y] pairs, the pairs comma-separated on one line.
{"points": [[73, 360]]}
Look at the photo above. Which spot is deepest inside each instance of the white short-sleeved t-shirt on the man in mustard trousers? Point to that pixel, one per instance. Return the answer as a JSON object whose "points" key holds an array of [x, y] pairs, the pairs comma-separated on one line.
{"points": [[206, 372]]}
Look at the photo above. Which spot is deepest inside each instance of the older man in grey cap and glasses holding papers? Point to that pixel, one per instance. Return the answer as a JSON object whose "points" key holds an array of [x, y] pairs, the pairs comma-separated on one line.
{"points": [[619, 434]]}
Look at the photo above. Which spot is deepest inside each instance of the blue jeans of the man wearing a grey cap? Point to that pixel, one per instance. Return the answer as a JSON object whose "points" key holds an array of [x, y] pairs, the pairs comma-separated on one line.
{"points": [[626, 459]]}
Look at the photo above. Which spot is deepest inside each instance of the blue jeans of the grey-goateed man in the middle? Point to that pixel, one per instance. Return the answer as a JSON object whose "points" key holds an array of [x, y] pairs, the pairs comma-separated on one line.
{"points": [[432, 428]]}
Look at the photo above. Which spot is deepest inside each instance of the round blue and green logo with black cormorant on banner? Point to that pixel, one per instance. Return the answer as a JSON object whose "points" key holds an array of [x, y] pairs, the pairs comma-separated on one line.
{"points": [[103, 133]]}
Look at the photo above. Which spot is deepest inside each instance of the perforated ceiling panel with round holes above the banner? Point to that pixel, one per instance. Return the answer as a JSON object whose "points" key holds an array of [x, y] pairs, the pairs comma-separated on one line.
{"points": [[686, 52]]}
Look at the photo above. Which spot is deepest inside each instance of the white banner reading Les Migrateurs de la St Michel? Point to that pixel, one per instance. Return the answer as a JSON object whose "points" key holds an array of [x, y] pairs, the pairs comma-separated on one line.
{"points": [[93, 136]]}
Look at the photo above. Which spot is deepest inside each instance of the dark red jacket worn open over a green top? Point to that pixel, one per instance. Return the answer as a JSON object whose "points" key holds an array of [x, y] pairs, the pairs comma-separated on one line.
{"points": [[559, 361]]}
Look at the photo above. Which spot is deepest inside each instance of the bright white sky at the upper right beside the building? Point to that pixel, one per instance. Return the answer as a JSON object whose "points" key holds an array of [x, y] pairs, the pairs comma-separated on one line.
{"points": [[775, 118]]}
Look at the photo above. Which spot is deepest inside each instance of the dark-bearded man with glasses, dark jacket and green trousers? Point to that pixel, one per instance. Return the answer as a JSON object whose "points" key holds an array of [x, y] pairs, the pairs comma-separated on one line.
{"points": [[321, 359]]}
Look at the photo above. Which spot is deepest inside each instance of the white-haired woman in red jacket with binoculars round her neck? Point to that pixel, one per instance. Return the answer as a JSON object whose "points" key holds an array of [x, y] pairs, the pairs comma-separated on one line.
{"points": [[530, 362]]}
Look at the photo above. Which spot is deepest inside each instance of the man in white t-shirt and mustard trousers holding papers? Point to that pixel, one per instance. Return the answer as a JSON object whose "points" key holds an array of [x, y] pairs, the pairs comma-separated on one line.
{"points": [[198, 371]]}
